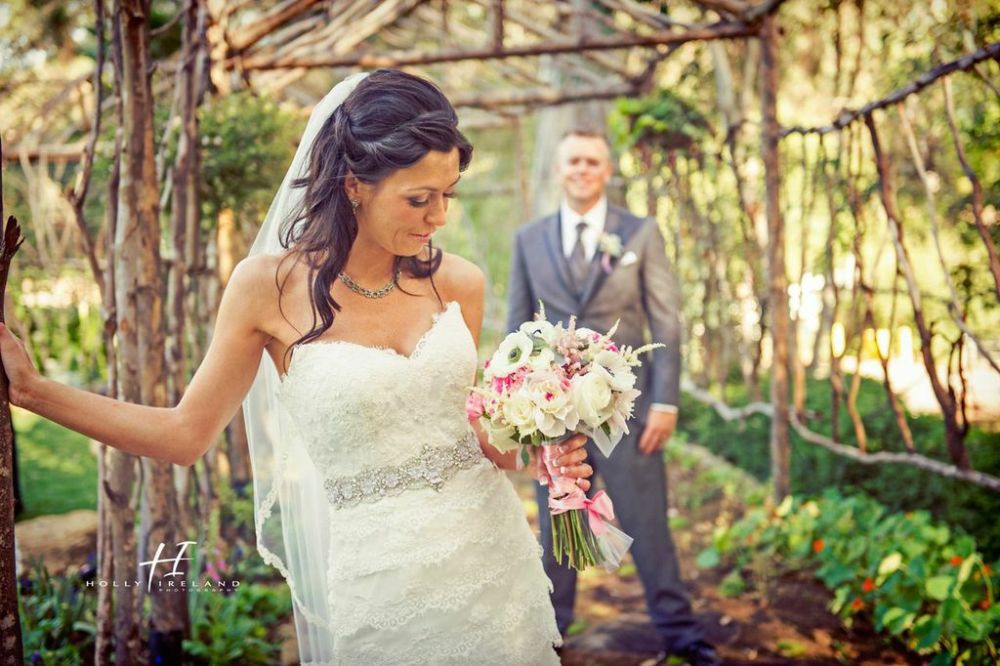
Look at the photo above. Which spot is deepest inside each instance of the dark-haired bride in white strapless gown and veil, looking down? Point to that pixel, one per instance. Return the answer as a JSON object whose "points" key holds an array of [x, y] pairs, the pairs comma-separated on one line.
{"points": [[352, 340]]}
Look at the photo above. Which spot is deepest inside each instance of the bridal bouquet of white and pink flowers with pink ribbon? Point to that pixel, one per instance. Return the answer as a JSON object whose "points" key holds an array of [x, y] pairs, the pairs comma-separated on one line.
{"points": [[545, 383]]}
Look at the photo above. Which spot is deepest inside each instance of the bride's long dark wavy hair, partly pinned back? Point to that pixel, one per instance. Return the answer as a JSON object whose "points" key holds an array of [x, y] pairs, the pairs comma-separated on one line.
{"points": [[390, 121]]}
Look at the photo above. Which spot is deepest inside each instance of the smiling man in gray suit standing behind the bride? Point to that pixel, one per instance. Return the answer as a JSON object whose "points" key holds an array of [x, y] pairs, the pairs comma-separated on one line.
{"points": [[602, 264]]}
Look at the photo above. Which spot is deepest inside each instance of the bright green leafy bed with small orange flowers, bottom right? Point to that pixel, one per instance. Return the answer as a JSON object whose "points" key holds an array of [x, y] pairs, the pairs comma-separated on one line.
{"points": [[916, 580]]}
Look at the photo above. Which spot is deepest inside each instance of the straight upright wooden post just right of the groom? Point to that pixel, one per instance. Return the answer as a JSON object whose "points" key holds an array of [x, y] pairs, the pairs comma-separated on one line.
{"points": [[777, 280]]}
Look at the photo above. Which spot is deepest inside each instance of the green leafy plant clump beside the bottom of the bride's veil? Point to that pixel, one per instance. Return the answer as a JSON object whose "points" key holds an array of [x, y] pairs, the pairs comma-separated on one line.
{"points": [[234, 628]]}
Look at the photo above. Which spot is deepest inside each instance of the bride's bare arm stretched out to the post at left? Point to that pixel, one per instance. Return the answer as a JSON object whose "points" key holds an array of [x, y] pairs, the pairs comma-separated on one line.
{"points": [[178, 434]]}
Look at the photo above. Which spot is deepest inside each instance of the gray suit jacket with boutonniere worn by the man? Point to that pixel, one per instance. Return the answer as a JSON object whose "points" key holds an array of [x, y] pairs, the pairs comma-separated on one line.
{"points": [[644, 294]]}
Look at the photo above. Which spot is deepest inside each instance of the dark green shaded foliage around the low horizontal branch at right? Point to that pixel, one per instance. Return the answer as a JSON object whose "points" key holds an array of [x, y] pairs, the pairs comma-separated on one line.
{"points": [[814, 469]]}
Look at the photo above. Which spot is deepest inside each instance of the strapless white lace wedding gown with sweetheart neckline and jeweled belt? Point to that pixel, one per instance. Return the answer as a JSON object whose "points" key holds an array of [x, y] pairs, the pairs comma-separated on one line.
{"points": [[435, 562]]}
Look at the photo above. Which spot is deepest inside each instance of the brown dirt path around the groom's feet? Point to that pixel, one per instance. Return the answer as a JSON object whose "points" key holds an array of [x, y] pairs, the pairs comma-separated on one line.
{"points": [[786, 622]]}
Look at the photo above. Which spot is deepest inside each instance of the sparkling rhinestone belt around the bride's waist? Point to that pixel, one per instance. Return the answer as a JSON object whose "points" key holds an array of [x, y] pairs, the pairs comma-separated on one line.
{"points": [[430, 468]]}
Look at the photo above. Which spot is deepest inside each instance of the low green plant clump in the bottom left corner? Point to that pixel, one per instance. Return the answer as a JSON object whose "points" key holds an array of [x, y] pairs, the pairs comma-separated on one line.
{"points": [[58, 618]]}
